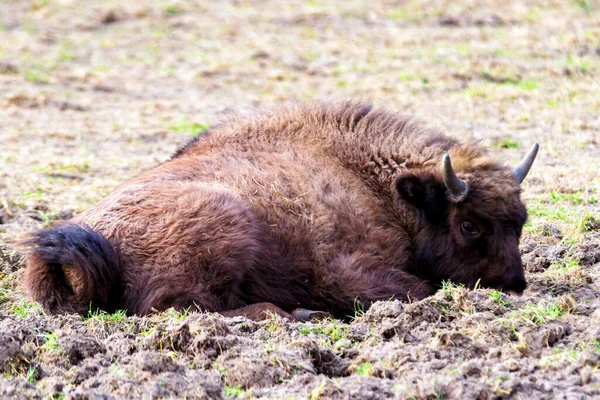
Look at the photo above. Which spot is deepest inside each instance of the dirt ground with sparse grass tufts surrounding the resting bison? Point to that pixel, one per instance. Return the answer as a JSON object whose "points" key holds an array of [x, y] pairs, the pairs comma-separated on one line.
{"points": [[94, 92]]}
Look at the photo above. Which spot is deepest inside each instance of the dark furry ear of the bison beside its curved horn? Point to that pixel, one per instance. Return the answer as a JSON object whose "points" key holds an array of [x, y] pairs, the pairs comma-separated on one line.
{"points": [[422, 191]]}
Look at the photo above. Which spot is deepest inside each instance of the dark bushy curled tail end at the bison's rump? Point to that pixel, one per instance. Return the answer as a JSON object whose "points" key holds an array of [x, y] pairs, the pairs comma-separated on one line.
{"points": [[70, 268]]}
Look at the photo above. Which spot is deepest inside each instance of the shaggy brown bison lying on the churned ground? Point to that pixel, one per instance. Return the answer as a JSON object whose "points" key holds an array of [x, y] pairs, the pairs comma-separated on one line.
{"points": [[305, 207]]}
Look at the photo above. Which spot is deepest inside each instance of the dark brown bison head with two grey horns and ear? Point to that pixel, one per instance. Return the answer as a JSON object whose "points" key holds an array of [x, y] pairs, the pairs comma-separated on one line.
{"points": [[467, 228]]}
